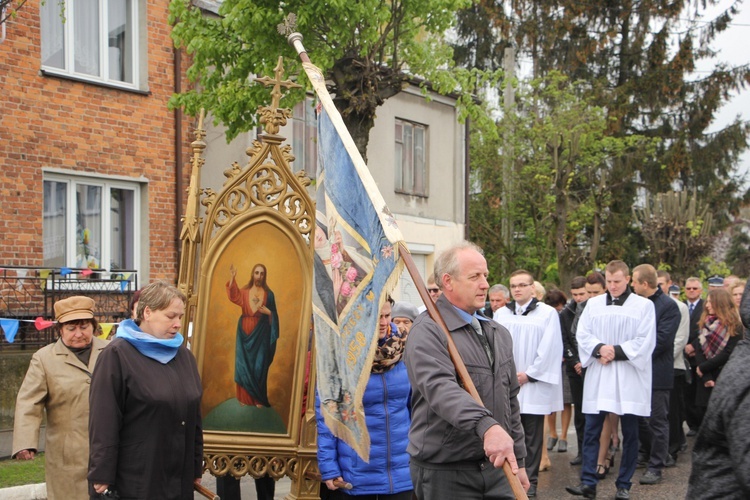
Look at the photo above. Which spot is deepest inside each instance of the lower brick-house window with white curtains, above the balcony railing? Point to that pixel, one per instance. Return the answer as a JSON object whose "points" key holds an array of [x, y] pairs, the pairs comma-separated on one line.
{"points": [[90, 222]]}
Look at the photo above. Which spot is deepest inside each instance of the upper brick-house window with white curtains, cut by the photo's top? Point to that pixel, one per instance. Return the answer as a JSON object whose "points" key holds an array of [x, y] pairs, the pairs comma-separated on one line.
{"points": [[91, 39]]}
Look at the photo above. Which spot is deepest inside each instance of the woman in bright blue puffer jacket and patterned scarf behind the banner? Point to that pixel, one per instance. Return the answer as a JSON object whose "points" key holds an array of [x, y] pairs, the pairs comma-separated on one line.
{"points": [[385, 401]]}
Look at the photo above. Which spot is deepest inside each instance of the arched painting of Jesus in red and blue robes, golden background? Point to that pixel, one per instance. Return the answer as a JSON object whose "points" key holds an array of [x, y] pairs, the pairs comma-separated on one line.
{"points": [[253, 348]]}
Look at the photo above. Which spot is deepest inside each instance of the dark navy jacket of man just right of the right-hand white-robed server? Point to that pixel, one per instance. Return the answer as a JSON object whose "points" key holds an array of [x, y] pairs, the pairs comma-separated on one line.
{"points": [[667, 321]]}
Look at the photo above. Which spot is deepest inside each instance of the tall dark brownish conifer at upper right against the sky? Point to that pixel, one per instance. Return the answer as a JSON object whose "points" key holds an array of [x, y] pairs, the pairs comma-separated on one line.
{"points": [[638, 56]]}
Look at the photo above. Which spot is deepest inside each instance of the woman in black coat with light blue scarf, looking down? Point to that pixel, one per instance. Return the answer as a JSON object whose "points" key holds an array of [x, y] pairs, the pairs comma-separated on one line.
{"points": [[145, 427]]}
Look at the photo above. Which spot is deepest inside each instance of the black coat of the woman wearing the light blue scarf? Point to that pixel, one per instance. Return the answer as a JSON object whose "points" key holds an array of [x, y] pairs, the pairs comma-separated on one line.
{"points": [[145, 430]]}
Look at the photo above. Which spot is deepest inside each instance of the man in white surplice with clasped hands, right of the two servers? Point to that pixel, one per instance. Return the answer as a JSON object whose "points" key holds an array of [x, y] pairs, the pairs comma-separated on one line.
{"points": [[616, 337]]}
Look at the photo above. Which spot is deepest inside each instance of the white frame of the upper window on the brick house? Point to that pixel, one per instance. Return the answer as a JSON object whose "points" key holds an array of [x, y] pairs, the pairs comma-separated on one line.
{"points": [[67, 13]]}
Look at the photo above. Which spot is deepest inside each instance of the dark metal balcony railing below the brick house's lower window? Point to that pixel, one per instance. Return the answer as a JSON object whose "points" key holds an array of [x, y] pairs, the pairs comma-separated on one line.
{"points": [[28, 293]]}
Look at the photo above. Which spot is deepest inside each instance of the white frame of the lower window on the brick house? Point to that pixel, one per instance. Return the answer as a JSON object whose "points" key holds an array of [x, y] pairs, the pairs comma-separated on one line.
{"points": [[106, 184]]}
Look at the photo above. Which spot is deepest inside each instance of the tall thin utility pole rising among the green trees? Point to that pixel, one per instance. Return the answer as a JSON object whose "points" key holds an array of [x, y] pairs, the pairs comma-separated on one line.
{"points": [[509, 64]]}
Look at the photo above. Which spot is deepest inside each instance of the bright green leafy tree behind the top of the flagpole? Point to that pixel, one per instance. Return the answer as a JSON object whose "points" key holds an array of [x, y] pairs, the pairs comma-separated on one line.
{"points": [[369, 50]]}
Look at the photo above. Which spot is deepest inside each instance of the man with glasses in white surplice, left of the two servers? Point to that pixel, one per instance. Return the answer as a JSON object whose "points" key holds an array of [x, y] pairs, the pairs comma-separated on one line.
{"points": [[537, 352]]}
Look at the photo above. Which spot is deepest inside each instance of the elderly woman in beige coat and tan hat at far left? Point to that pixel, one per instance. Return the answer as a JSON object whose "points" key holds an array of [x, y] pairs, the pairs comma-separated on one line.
{"points": [[58, 382]]}
